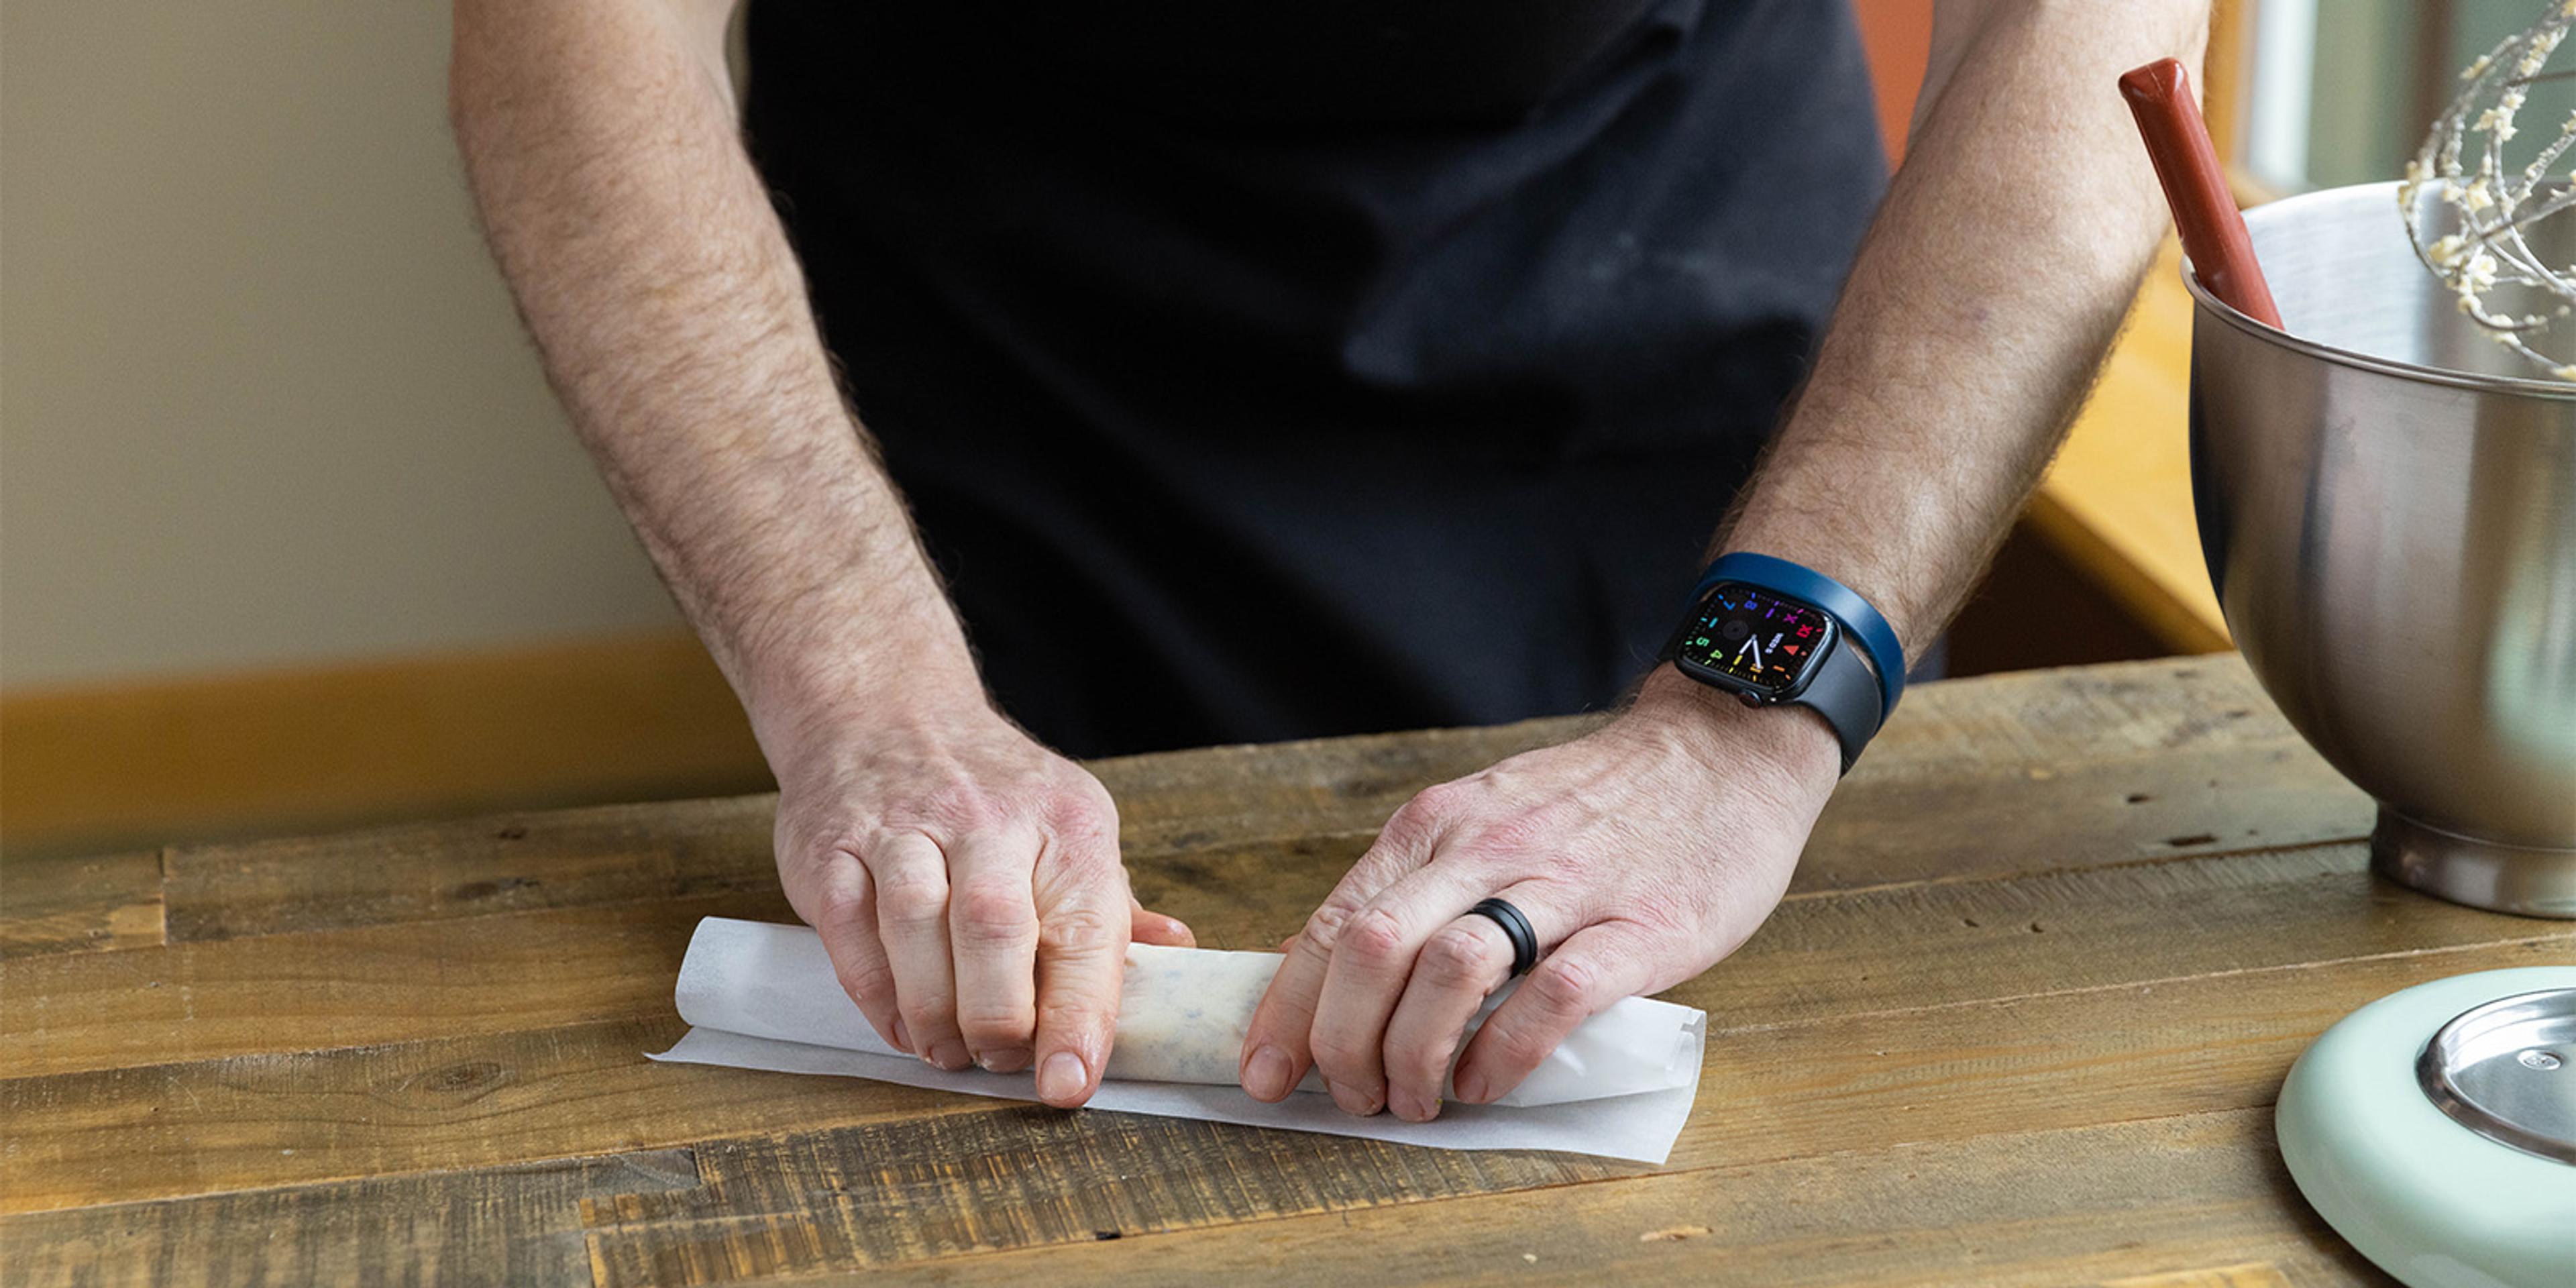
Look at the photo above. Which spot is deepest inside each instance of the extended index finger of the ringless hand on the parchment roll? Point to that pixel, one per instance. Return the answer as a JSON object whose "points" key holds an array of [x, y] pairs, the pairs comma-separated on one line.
{"points": [[1083, 934]]}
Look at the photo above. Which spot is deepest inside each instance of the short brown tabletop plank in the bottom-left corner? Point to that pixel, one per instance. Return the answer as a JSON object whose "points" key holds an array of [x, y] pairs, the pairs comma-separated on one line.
{"points": [[506, 1225]]}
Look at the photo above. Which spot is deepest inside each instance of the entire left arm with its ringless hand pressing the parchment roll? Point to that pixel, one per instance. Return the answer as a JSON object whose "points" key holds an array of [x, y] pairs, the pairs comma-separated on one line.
{"points": [[962, 877]]}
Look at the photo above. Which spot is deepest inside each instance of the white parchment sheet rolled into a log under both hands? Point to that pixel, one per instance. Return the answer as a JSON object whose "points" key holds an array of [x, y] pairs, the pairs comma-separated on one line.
{"points": [[764, 998]]}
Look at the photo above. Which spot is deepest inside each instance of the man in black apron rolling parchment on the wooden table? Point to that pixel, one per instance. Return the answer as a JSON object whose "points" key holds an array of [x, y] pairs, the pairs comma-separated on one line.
{"points": [[1294, 372]]}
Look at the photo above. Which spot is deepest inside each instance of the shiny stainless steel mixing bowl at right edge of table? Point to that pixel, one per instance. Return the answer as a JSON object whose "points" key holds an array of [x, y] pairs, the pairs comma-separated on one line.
{"points": [[2389, 511]]}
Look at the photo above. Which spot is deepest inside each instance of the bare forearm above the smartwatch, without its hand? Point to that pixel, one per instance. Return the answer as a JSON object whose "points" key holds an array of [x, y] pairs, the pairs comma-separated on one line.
{"points": [[1980, 308]]}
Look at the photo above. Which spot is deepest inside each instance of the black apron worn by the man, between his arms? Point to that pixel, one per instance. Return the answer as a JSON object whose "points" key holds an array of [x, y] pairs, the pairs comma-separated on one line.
{"points": [[1315, 370]]}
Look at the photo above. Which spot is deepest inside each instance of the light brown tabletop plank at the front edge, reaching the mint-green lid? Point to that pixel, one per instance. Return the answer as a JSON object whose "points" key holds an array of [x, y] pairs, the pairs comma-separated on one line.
{"points": [[2021, 1209]]}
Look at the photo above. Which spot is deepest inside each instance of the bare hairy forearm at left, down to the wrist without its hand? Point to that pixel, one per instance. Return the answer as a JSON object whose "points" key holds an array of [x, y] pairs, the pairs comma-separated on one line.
{"points": [[676, 328]]}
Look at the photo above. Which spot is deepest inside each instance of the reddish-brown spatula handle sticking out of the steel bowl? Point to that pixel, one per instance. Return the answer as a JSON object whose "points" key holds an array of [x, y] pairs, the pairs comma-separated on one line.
{"points": [[2196, 187]]}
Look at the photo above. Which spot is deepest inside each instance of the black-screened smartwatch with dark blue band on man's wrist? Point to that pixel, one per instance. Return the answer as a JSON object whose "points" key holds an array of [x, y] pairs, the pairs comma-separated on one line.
{"points": [[1784, 635]]}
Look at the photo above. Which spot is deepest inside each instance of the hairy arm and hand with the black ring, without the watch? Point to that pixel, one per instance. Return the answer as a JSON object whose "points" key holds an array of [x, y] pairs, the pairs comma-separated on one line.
{"points": [[1642, 854]]}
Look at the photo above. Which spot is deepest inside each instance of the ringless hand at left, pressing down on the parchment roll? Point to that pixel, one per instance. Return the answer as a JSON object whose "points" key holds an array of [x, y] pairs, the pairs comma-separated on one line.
{"points": [[970, 893]]}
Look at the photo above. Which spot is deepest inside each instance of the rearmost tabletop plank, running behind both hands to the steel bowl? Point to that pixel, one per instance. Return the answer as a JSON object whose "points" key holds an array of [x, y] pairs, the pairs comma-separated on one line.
{"points": [[2096, 766]]}
